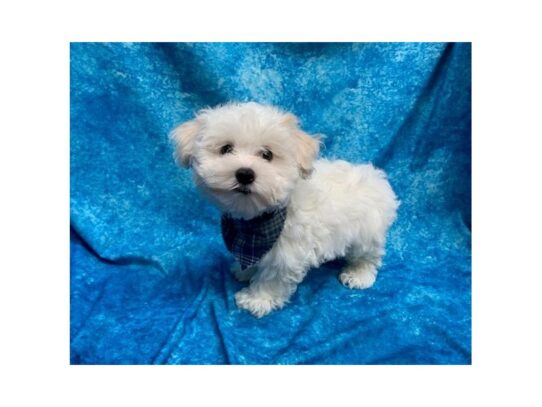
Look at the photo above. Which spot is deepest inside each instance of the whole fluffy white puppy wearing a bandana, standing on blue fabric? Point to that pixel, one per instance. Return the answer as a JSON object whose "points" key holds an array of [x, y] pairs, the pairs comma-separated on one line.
{"points": [[284, 212]]}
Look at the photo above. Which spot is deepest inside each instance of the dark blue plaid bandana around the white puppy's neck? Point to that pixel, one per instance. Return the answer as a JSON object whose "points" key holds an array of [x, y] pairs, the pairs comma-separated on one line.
{"points": [[249, 240]]}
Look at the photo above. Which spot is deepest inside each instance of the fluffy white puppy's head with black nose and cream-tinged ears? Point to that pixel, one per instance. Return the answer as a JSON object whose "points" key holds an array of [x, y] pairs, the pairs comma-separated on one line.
{"points": [[246, 157]]}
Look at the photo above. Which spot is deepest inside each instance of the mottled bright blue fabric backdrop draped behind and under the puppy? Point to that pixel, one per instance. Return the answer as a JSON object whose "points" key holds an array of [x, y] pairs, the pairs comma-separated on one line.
{"points": [[150, 279]]}
